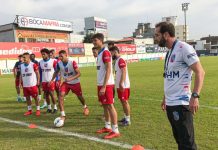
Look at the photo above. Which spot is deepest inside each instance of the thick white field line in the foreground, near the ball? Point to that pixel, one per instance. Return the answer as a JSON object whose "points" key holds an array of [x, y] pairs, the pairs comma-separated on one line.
{"points": [[73, 134]]}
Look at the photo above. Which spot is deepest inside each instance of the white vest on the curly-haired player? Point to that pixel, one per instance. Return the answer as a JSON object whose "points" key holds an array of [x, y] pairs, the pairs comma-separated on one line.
{"points": [[47, 69]]}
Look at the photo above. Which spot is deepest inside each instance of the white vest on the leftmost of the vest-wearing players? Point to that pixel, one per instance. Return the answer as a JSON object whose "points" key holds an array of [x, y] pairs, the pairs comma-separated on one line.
{"points": [[28, 75]]}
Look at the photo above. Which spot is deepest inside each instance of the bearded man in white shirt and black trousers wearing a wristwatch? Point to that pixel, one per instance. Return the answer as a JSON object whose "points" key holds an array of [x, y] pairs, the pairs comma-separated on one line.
{"points": [[178, 100]]}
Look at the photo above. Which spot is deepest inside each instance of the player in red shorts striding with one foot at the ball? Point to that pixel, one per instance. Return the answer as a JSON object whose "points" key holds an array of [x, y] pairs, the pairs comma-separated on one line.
{"points": [[70, 73]]}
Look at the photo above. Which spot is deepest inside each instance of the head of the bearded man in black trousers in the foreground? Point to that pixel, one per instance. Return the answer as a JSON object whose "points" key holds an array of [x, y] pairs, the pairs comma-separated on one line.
{"points": [[164, 32]]}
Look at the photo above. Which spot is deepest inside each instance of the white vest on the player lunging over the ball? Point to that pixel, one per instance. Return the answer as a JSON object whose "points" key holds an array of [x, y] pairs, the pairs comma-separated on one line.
{"points": [[68, 71]]}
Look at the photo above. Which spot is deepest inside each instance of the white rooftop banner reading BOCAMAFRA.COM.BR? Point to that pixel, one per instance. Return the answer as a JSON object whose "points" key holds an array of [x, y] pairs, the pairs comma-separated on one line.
{"points": [[39, 23]]}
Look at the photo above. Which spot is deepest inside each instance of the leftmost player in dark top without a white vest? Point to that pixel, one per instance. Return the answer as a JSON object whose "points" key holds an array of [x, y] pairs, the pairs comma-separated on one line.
{"points": [[16, 71]]}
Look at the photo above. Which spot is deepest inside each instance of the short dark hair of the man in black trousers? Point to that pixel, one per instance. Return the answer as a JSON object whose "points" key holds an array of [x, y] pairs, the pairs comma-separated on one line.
{"points": [[166, 27]]}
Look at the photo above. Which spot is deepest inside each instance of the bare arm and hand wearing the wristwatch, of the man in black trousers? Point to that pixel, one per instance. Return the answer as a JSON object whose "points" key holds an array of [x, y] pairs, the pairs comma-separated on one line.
{"points": [[198, 84]]}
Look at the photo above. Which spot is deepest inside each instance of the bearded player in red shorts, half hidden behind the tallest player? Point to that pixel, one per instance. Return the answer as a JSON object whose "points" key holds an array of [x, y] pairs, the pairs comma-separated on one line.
{"points": [[122, 83]]}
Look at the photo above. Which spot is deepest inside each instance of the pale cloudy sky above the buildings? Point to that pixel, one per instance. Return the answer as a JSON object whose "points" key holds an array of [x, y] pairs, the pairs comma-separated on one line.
{"points": [[122, 15]]}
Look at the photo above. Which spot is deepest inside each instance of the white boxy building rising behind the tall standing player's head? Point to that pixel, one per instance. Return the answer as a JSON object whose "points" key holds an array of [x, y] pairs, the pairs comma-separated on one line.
{"points": [[96, 25]]}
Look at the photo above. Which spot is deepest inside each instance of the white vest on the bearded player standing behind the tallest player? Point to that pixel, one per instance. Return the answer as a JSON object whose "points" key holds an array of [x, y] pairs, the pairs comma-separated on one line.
{"points": [[118, 72]]}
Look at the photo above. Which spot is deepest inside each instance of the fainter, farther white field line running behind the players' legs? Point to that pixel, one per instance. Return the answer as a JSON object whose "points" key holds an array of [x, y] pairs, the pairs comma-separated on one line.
{"points": [[147, 99]]}
